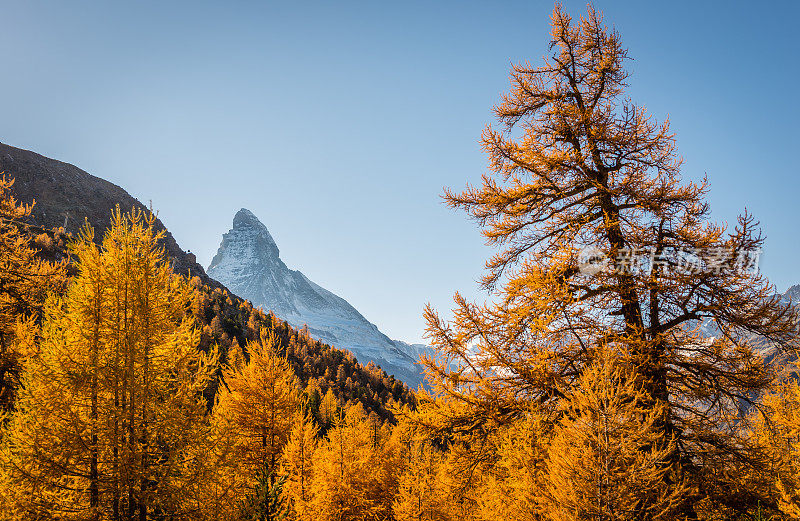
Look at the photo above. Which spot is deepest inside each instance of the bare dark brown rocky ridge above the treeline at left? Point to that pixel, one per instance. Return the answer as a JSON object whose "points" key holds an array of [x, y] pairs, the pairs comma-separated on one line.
{"points": [[65, 194]]}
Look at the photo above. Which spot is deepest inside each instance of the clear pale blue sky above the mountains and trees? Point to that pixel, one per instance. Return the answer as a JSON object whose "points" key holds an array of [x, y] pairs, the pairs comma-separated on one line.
{"points": [[338, 123]]}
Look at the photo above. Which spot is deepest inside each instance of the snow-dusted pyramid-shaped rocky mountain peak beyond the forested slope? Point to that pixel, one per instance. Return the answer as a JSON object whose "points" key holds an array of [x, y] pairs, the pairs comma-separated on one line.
{"points": [[248, 262]]}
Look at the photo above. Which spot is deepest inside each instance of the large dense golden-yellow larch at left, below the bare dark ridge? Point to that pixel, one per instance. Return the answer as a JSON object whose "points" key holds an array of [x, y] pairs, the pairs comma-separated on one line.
{"points": [[111, 422]]}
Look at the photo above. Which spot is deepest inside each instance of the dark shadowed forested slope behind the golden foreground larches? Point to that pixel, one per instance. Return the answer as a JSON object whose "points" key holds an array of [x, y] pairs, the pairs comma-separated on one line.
{"points": [[226, 320]]}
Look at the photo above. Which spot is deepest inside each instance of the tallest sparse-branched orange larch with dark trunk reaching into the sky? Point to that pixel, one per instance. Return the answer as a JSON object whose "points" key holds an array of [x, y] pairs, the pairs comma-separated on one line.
{"points": [[577, 168]]}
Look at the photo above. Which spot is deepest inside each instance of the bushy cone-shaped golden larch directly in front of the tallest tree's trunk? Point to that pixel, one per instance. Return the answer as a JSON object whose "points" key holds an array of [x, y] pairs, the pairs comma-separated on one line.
{"points": [[605, 457]]}
